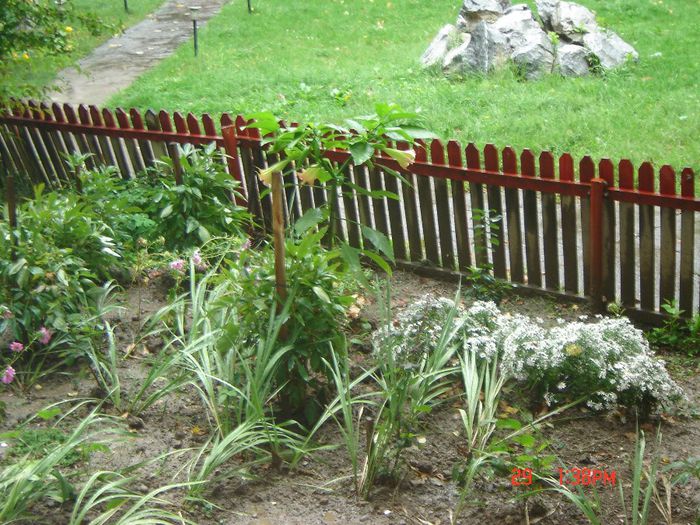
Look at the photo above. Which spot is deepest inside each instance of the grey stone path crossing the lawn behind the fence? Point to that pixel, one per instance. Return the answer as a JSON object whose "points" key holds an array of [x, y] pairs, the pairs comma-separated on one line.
{"points": [[119, 61]]}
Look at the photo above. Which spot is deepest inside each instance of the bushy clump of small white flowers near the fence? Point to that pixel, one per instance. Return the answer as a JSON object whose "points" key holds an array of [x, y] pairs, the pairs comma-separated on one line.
{"points": [[607, 360]]}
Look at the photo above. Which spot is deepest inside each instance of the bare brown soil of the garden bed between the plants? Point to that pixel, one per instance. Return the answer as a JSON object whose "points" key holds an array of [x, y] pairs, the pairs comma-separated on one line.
{"points": [[320, 490]]}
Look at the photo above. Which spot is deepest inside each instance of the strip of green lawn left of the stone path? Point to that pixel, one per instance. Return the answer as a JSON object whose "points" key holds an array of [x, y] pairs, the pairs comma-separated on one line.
{"points": [[41, 70]]}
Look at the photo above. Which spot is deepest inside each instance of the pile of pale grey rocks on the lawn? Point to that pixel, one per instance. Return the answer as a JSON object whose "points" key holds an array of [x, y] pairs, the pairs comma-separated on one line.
{"points": [[489, 34]]}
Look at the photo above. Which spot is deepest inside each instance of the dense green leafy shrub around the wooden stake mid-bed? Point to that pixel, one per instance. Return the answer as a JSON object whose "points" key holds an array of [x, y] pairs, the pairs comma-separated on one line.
{"points": [[319, 292]]}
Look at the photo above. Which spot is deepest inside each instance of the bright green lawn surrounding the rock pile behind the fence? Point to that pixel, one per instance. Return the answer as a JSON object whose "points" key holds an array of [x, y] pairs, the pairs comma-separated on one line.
{"points": [[330, 59]]}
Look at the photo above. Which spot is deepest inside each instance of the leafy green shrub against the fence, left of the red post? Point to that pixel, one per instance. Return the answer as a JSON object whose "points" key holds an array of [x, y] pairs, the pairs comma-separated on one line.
{"points": [[153, 205]]}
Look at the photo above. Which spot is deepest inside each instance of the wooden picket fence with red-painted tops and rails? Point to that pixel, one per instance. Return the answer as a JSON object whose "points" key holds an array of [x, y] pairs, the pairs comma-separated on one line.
{"points": [[603, 231]]}
